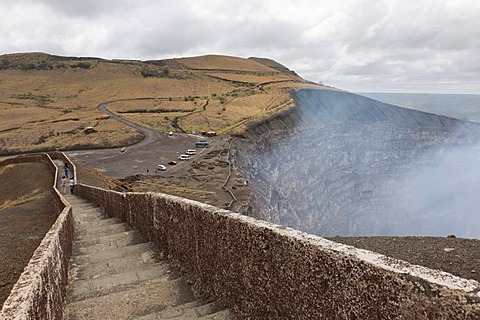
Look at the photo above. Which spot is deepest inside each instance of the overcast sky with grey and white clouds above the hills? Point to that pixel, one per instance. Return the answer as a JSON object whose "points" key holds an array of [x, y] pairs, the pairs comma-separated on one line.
{"points": [[356, 45]]}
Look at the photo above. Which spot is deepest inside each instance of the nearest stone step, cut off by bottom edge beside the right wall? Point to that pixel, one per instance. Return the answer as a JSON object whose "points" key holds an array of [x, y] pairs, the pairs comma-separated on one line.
{"points": [[197, 309]]}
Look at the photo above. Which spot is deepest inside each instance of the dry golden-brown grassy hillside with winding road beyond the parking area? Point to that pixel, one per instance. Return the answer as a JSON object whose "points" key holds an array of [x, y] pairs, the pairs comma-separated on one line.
{"points": [[47, 101]]}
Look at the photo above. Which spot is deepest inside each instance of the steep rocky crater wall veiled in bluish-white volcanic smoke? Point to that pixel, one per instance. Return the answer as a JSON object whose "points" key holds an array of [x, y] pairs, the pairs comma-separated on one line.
{"points": [[343, 164]]}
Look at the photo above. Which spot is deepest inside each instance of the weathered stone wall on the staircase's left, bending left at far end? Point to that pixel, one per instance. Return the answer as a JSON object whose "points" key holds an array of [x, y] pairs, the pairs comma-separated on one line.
{"points": [[40, 290]]}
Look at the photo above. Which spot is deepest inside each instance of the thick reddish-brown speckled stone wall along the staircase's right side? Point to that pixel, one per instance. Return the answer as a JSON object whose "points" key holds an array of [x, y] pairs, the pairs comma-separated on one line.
{"points": [[266, 271]]}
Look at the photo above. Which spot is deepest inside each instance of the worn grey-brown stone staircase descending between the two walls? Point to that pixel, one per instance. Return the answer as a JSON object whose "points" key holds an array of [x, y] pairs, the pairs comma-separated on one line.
{"points": [[115, 275]]}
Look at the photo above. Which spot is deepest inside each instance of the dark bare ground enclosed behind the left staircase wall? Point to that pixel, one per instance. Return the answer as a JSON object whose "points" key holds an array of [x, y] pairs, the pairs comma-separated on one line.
{"points": [[25, 216]]}
